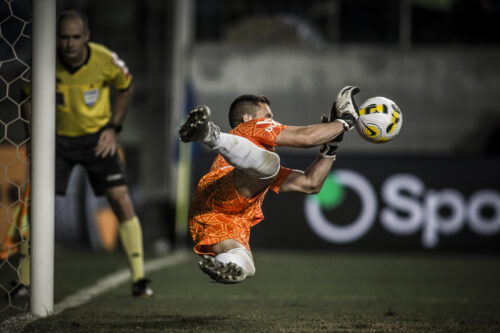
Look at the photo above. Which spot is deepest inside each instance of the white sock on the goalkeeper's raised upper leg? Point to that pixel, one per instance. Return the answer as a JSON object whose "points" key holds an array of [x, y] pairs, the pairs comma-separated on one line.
{"points": [[243, 154]]}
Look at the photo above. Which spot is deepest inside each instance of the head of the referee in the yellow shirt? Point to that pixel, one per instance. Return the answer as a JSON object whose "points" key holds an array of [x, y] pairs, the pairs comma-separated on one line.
{"points": [[72, 34]]}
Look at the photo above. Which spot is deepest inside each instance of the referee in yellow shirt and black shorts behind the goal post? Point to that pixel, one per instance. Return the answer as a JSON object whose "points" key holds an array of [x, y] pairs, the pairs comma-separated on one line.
{"points": [[87, 129]]}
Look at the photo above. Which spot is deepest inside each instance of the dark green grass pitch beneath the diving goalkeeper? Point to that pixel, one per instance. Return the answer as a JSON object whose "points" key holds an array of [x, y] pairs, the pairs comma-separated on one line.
{"points": [[292, 292]]}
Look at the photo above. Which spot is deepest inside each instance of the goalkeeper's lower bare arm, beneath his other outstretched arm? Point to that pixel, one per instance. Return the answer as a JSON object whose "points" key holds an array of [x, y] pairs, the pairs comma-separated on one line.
{"points": [[309, 181]]}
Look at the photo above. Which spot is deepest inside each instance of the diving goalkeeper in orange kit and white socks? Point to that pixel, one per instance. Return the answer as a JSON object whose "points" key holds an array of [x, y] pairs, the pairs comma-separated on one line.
{"points": [[228, 199]]}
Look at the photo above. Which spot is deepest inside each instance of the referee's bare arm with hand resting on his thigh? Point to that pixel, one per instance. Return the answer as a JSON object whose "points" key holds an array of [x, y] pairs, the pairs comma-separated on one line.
{"points": [[107, 144]]}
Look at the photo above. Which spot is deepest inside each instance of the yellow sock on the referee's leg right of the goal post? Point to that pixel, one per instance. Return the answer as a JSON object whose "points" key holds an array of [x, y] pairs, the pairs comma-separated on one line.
{"points": [[131, 238]]}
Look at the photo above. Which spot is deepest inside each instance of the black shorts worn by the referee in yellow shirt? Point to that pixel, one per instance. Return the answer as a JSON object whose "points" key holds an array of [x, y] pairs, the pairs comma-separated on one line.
{"points": [[103, 173]]}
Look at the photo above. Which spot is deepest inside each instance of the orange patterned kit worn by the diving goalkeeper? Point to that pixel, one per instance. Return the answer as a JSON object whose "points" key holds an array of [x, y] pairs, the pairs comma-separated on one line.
{"points": [[217, 211]]}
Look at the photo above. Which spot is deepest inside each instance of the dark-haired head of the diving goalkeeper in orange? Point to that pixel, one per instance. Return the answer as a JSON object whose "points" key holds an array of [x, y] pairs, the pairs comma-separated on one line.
{"points": [[247, 107]]}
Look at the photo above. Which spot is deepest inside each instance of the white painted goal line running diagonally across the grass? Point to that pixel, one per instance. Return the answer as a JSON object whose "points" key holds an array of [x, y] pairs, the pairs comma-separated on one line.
{"points": [[17, 323]]}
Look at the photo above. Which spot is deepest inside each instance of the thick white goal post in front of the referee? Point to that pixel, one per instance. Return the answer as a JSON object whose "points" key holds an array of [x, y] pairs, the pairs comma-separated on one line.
{"points": [[43, 157]]}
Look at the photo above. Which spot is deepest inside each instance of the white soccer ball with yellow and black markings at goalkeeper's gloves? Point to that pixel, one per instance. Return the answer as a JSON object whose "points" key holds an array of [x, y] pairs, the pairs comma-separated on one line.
{"points": [[380, 120]]}
